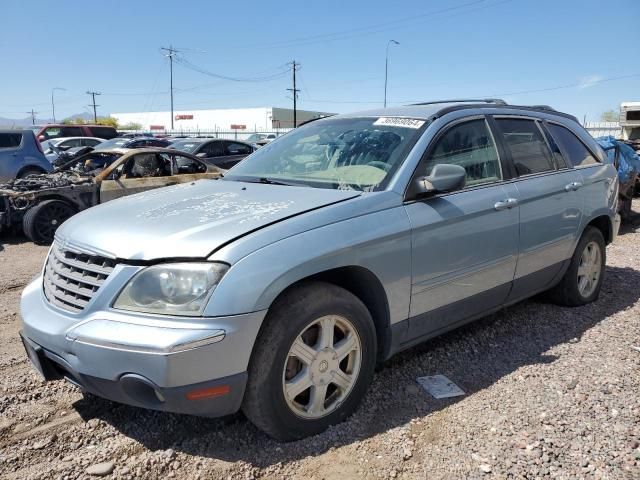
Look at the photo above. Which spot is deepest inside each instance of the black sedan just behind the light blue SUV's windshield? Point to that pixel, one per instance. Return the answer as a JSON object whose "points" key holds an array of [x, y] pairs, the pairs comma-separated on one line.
{"points": [[221, 153]]}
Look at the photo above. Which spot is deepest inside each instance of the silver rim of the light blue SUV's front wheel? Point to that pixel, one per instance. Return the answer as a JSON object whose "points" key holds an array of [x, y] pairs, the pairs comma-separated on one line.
{"points": [[322, 367]]}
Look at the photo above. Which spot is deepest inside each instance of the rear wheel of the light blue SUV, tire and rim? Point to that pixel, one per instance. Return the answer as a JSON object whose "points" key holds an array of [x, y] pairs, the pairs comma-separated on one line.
{"points": [[572, 290]]}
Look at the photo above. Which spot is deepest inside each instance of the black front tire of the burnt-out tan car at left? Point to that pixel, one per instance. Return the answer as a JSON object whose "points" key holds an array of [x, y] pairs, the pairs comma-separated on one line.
{"points": [[41, 221]]}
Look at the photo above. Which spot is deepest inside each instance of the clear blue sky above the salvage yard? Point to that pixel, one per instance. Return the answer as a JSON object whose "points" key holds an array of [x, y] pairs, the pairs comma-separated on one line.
{"points": [[568, 54]]}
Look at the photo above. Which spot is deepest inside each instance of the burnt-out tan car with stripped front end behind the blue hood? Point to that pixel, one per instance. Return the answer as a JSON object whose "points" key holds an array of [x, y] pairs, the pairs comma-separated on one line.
{"points": [[41, 203]]}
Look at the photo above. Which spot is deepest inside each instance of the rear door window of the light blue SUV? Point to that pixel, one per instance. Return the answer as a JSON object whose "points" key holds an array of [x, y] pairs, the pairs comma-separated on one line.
{"points": [[528, 148]]}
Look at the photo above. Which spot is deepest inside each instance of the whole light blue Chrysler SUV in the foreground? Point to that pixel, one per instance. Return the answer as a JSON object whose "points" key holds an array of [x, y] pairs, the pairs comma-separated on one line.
{"points": [[277, 289]]}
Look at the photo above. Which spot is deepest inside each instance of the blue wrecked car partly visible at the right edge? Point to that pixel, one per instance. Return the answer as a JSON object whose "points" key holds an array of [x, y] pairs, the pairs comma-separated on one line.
{"points": [[627, 163]]}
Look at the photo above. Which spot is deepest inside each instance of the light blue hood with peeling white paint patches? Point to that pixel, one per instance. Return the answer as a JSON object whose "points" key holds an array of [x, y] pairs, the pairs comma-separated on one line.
{"points": [[189, 220]]}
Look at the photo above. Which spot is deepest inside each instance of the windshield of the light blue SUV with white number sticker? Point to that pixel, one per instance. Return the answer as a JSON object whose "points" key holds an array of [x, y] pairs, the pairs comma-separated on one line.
{"points": [[341, 153]]}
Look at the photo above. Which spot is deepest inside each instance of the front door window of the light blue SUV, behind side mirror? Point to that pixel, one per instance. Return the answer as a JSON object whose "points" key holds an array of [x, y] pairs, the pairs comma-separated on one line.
{"points": [[469, 145]]}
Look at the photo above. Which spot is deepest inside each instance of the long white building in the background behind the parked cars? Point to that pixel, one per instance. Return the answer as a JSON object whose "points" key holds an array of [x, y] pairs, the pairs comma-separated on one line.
{"points": [[241, 120]]}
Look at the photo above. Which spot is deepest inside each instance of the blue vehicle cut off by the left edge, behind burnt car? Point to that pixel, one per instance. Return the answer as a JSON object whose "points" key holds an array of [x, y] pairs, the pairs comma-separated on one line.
{"points": [[21, 155]]}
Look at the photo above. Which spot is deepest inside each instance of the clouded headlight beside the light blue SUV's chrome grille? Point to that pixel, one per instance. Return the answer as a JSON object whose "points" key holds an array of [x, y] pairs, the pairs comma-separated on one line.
{"points": [[172, 288]]}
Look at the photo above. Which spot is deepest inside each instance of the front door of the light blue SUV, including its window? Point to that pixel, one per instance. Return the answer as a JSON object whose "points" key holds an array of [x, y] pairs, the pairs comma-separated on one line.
{"points": [[464, 243]]}
